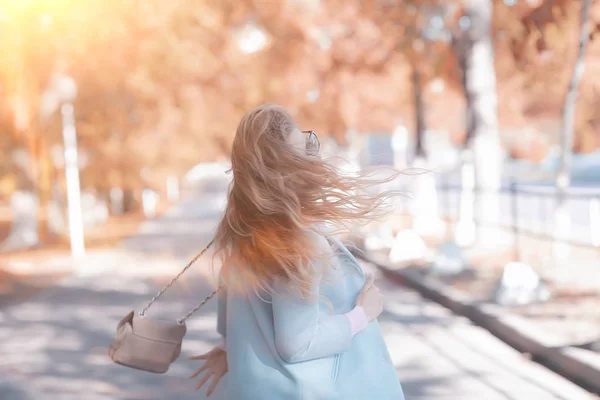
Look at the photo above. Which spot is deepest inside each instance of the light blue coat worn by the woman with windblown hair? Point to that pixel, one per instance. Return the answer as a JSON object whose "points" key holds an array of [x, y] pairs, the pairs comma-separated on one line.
{"points": [[285, 348]]}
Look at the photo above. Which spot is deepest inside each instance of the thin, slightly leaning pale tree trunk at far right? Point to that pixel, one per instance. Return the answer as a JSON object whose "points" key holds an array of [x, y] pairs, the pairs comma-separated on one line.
{"points": [[562, 226]]}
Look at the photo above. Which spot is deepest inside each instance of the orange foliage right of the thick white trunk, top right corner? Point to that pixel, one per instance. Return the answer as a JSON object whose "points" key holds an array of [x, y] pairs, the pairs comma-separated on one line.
{"points": [[534, 39]]}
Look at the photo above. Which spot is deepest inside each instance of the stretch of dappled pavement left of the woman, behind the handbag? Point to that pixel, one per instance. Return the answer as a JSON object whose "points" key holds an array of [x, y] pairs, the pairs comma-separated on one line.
{"points": [[54, 346]]}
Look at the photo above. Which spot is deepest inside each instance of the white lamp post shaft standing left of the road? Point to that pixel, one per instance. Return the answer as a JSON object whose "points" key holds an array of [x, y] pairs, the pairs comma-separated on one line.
{"points": [[73, 190]]}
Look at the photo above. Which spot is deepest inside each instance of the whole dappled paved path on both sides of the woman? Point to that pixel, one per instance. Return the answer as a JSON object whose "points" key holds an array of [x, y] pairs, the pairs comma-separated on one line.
{"points": [[54, 346]]}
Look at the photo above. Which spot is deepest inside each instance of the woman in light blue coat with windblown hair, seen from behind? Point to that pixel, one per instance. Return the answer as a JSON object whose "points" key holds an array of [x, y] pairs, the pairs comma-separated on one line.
{"points": [[298, 317]]}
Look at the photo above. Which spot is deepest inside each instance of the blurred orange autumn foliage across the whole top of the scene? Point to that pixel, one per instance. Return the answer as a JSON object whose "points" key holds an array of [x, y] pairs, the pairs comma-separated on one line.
{"points": [[162, 84]]}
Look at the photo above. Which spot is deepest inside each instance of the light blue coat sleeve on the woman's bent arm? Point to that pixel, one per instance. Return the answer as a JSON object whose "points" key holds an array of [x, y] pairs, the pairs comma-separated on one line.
{"points": [[303, 331]]}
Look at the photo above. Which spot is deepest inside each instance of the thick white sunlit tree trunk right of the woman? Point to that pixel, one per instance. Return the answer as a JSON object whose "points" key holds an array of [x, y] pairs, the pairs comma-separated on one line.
{"points": [[474, 49]]}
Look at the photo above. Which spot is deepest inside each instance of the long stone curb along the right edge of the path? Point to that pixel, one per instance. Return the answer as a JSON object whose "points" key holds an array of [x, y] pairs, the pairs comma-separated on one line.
{"points": [[579, 366]]}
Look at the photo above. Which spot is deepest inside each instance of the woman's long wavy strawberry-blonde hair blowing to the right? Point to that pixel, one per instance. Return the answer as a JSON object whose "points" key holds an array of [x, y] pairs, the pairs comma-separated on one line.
{"points": [[278, 196]]}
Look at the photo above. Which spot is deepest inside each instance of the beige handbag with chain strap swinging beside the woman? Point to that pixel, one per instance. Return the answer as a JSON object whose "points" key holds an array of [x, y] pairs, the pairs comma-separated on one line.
{"points": [[148, 344]]}
